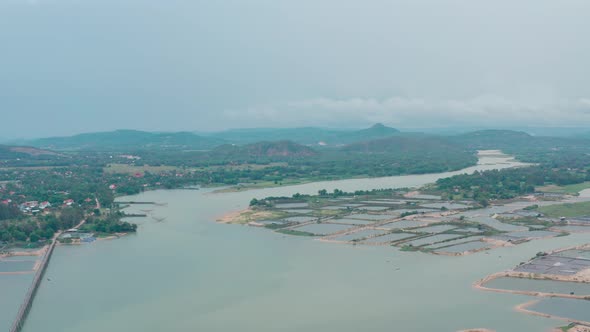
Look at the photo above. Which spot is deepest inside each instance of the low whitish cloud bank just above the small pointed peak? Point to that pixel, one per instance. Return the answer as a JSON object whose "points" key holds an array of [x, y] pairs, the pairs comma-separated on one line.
{"points": [[481, 111]]}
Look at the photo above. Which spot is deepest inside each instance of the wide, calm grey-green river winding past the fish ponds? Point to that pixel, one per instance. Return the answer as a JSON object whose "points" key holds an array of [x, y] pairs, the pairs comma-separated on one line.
{"points": [[189, 273]]}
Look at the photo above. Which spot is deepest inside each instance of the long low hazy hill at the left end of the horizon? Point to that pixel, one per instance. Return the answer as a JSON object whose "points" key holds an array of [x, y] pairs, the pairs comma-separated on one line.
{"points": [[124, 140]]}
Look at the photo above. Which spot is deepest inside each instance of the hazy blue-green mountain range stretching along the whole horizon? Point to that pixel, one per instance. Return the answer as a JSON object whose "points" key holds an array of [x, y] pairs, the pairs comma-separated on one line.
{"points": [[242, 144]]}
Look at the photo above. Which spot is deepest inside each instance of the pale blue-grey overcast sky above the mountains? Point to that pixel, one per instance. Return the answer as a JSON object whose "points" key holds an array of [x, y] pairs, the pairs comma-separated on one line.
{"points": [[72, 66]]}
